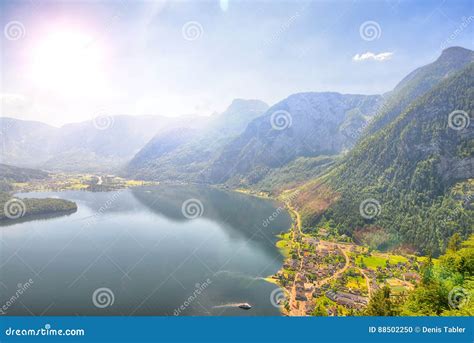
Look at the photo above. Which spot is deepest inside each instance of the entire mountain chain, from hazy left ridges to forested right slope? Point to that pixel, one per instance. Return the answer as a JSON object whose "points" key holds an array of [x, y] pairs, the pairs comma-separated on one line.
{"points": [[335, 149]]}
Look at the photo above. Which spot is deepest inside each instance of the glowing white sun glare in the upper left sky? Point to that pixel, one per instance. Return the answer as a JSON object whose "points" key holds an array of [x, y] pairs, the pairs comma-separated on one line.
{"points": [[67, 61]]}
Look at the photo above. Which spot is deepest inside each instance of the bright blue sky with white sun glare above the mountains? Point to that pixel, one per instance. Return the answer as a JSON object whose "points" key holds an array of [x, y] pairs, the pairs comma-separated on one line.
{"points": [[70, 61]]}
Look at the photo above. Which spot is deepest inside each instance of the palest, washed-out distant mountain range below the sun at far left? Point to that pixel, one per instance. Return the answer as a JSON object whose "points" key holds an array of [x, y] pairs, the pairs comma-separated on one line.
{"points": [[96, 145]]}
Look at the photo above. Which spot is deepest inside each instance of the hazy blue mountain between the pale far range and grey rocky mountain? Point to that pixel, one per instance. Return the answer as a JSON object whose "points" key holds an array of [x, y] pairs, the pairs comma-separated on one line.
{"points": [[184, 154]]}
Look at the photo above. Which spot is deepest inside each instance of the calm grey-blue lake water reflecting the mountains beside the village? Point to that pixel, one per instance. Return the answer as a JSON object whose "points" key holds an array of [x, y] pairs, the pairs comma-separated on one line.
{"points": [[142, 256]]}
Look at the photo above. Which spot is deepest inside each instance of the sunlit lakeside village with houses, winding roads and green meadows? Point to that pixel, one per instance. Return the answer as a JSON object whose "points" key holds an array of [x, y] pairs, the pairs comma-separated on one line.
{"points": [[326, 275]]}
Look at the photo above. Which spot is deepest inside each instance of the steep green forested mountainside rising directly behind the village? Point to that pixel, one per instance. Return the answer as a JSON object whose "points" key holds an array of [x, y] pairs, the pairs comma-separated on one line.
{"points": [[410, 183]]}
